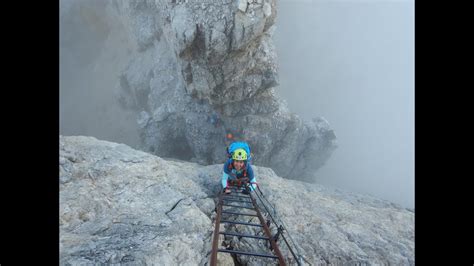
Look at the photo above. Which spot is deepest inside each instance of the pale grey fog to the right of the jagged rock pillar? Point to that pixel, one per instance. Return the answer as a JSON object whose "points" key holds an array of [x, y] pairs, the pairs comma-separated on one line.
{"points": [[352, 62]]}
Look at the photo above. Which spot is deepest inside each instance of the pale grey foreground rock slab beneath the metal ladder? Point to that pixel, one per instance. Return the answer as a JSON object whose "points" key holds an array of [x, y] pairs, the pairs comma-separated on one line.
{"points": [[119, 205]]}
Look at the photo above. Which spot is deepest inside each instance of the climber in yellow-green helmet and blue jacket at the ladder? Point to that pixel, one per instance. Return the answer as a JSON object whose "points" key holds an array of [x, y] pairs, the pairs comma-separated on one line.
{"points": [[237, 168]]}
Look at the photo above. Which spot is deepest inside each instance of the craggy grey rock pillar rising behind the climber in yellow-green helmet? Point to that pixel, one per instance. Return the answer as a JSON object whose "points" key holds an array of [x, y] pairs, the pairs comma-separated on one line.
{"points": [[201, 69]]}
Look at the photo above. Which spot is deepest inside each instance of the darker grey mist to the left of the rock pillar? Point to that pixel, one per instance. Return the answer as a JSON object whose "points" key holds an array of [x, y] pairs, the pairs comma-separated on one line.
{"points": [[93, 50]]}
